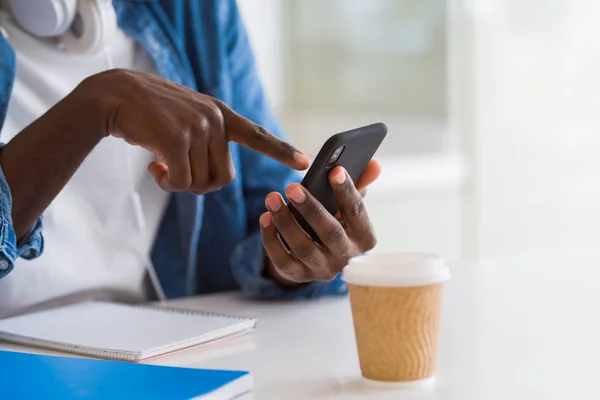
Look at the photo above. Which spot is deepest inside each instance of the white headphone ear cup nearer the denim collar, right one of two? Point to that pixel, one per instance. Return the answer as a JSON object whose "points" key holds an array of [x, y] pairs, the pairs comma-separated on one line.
{"points": [[94, 24]]}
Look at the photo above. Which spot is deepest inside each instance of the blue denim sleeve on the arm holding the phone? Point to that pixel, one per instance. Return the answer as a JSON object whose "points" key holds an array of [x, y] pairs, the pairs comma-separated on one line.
{"points": [[260, 175]]}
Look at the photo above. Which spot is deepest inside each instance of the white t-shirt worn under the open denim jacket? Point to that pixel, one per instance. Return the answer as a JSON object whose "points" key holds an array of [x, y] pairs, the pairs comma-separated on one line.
{"points": [[99, 230]]}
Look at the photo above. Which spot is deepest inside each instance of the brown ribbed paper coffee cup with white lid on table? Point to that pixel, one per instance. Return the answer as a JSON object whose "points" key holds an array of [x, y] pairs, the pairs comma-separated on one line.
{"points": [[396, 304]]}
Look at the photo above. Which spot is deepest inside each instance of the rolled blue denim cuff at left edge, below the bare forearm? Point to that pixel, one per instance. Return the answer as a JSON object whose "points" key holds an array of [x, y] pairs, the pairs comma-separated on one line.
{"points": [[30, 246]]}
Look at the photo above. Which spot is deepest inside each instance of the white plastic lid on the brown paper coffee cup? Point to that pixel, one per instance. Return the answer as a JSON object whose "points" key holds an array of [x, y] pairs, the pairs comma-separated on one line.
{"points": [[396, 269]]}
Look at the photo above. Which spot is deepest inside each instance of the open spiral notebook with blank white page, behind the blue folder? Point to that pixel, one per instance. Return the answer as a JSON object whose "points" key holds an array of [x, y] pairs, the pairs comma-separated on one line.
{"points": [[120, 332]]}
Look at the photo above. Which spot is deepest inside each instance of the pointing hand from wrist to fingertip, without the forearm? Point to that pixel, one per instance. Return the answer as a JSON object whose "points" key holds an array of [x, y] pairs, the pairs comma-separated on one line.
{"points": [[187, 131]]}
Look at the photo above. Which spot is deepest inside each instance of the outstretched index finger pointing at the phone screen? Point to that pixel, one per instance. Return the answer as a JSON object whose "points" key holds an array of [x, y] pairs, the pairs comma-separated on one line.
{"points": [[245, 132]]}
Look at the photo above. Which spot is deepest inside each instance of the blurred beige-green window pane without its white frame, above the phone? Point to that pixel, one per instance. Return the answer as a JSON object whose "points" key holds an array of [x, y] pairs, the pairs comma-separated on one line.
{"points": [[368, 57]]}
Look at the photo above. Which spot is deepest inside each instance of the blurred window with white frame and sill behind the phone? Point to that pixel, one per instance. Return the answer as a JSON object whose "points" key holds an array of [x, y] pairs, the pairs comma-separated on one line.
{"points": [[333, 65]]}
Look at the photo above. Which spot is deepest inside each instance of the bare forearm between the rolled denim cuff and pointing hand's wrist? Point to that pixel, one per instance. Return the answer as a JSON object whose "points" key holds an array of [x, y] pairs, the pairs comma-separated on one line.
{"points": [[40, 160]]}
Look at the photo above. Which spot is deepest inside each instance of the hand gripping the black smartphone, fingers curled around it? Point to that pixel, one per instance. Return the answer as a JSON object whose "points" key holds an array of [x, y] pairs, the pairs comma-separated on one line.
{"points": [[347, 236]]}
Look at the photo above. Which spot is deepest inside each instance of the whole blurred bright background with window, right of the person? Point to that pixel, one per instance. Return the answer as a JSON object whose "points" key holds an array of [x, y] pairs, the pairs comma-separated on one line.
{"points": [[493, 109]]}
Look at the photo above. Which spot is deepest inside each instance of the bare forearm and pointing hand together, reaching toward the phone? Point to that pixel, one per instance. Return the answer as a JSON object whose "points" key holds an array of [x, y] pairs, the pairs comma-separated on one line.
{"points": [[187, 131]]}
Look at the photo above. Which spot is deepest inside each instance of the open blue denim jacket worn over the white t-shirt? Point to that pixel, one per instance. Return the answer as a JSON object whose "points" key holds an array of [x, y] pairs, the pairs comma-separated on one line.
{"points": [[205, 243]]}
